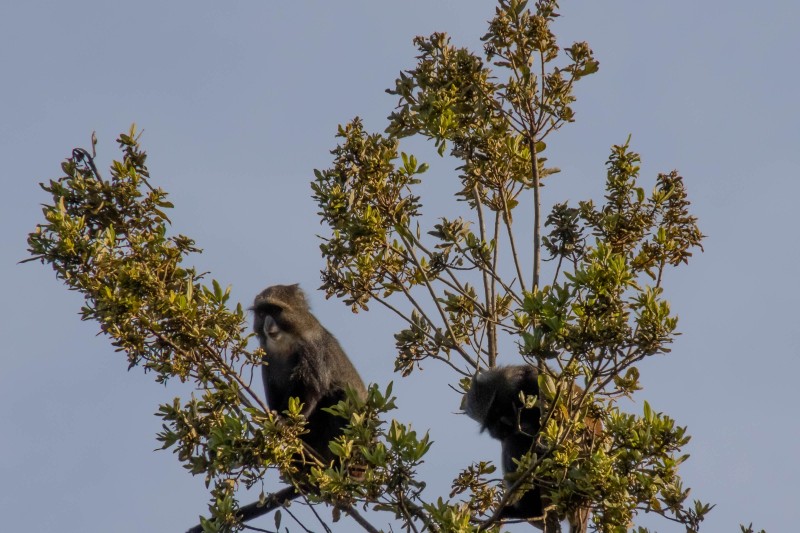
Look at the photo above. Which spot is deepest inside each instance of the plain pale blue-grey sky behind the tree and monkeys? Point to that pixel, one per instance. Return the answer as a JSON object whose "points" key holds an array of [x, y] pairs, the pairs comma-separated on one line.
{"points": [[239, 102]]}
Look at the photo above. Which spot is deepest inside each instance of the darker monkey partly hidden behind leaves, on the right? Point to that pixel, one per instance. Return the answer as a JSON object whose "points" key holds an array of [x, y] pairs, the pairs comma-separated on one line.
{"points": [[493, 400]]}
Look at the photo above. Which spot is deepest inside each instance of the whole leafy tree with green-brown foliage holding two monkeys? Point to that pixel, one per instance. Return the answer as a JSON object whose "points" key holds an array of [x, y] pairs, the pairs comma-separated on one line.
{"points": [[587, 309]]}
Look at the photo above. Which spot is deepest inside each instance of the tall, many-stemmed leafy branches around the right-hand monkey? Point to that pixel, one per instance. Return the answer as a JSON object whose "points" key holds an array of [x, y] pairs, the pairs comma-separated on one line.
{"points": [[602, 312]]}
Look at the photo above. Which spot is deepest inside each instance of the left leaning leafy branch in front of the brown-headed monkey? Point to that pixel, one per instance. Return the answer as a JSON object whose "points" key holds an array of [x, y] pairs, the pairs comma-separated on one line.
{"points": [[108, 240]]}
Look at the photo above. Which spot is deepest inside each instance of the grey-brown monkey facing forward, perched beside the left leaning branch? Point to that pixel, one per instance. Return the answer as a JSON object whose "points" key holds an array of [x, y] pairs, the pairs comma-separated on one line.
{"points": [[303, 360]]}
